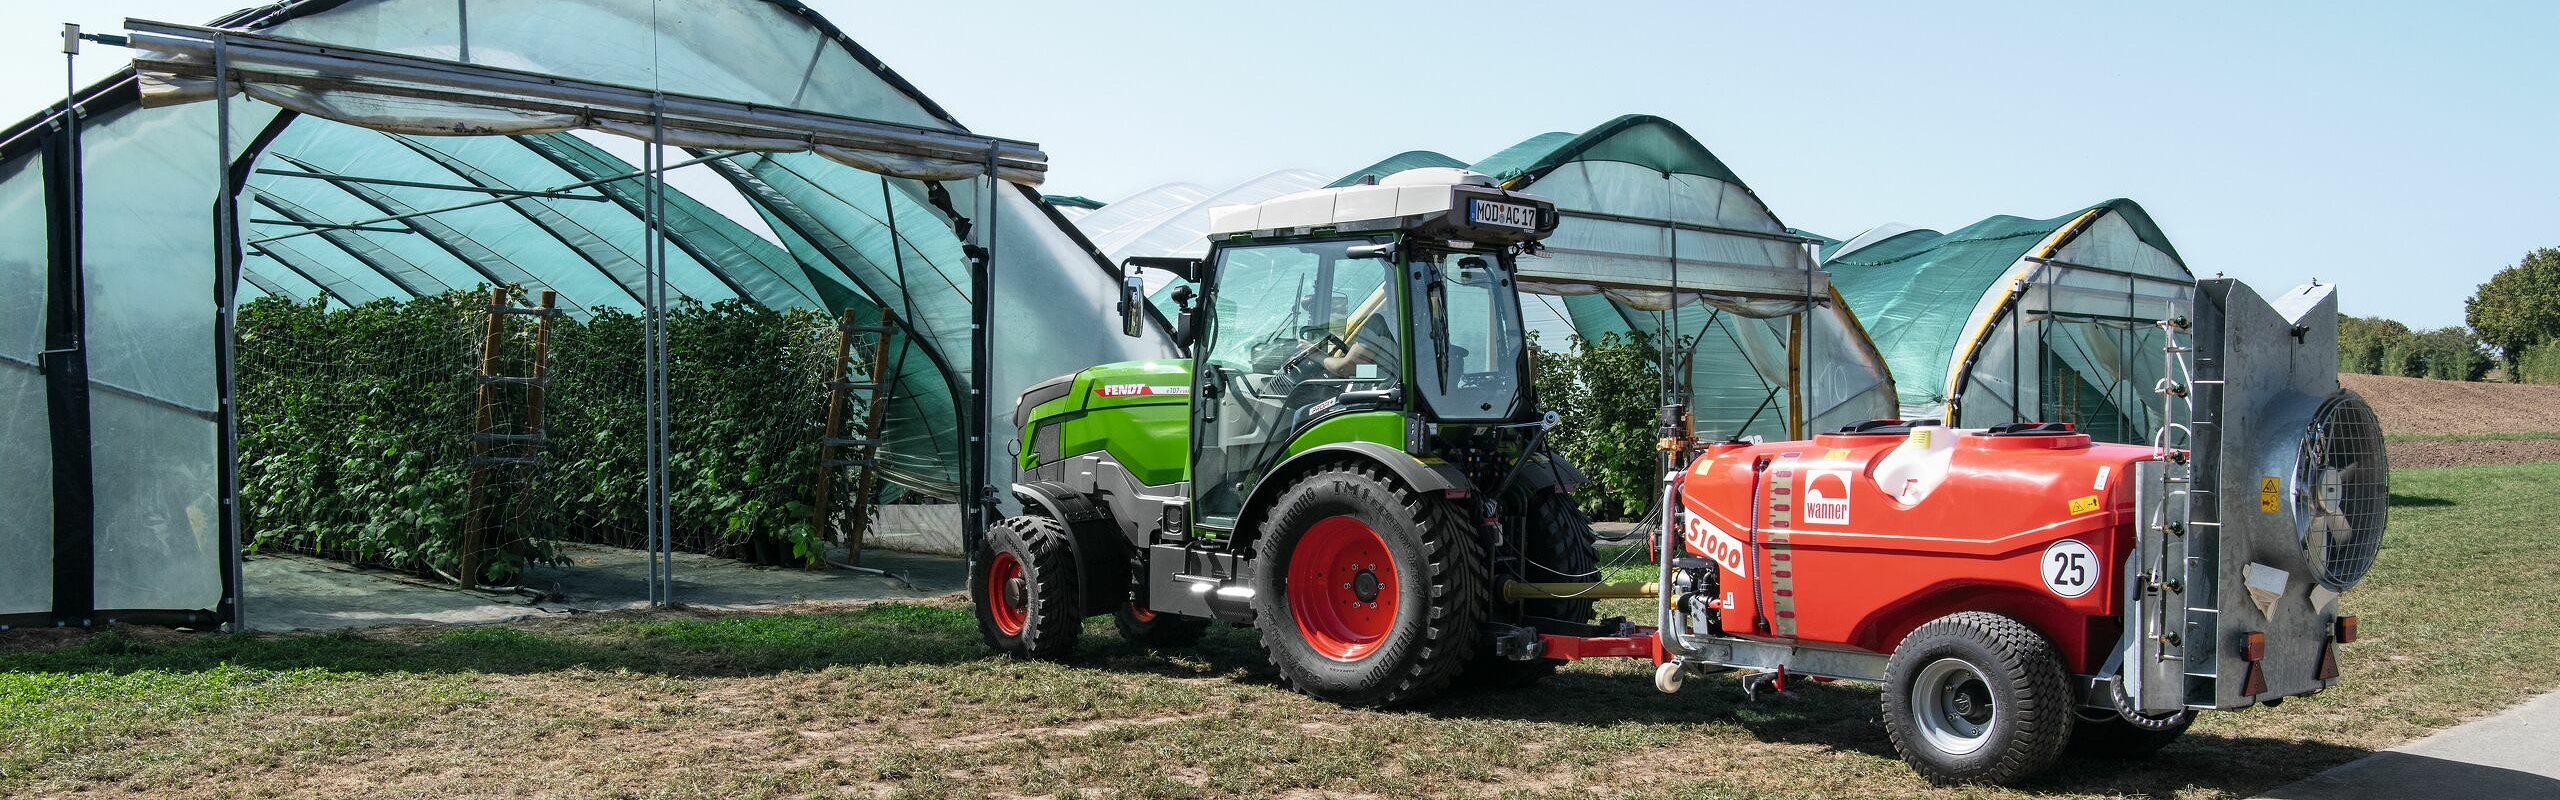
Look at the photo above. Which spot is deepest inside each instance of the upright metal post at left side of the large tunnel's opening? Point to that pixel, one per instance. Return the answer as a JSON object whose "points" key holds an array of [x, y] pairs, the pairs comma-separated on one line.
{"points": [[227, 286]]}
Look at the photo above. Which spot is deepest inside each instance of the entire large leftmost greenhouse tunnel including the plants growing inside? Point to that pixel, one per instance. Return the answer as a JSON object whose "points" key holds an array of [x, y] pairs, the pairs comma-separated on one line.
{"points": [[349, 217]]}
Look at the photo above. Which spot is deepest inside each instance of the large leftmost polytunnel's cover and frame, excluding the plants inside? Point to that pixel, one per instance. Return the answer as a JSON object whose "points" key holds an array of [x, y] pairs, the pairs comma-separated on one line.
{"points": [[342, 153]]}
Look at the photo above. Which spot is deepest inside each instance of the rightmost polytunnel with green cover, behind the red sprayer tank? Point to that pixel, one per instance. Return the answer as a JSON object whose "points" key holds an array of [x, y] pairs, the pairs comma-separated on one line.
{"points": [[2016, 319]]}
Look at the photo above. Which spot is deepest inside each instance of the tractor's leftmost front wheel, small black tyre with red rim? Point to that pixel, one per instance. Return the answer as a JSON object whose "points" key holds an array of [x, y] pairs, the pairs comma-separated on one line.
{"points": [[1025, 591]]}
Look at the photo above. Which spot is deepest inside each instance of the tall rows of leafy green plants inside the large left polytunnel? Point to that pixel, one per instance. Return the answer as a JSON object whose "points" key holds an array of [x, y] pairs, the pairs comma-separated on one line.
{"points": [[357, 432]]}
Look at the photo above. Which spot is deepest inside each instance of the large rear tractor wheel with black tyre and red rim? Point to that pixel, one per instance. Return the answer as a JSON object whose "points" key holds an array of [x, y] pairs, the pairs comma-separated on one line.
{"points": [[1366, 594]]}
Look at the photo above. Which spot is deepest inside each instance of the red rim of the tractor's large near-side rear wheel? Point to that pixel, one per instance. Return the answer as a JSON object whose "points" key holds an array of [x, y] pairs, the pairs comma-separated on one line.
{"points": [[1343, 588]]}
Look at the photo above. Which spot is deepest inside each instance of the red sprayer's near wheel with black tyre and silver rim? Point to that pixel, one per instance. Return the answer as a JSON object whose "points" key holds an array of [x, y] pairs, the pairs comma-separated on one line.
{"points": [[1978, 699]]}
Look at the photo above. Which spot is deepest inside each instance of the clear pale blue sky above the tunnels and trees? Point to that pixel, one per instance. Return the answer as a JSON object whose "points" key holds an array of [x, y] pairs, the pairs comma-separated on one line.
{"points": [[2400, 150]]}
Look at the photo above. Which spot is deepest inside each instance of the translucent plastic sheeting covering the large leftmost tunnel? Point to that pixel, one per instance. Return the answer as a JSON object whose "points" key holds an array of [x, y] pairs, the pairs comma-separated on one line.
{"points": [[152, 181]]}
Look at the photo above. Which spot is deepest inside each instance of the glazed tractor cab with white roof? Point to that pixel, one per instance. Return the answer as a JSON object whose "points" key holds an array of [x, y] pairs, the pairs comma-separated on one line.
{"points": [[1356, 314]]}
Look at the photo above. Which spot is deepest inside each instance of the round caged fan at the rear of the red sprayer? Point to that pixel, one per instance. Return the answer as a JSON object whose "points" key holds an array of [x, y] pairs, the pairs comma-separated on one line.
{"points": [[2341, 491]]}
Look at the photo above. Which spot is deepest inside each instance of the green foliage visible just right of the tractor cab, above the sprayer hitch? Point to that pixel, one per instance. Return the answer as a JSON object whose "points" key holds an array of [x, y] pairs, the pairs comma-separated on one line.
{"points": [[1609, 394]]}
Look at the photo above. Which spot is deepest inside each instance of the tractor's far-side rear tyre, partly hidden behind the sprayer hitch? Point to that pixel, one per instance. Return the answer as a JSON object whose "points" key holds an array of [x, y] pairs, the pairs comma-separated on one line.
{"points": [[1555, 547]]}
